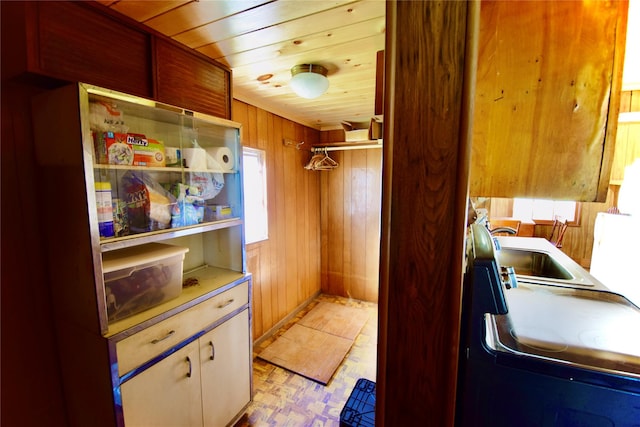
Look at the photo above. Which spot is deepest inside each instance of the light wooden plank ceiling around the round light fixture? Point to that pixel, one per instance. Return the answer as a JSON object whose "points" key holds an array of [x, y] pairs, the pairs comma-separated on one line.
{"points": [[261, 38]]}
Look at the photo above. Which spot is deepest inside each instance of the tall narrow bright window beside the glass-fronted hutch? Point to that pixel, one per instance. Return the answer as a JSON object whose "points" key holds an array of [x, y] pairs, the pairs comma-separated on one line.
{"points": [[256, 223]]}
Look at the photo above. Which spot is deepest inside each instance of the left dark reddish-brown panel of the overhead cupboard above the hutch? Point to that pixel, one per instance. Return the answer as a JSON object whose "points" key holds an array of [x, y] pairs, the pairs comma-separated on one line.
{"points": [[79, 44]]}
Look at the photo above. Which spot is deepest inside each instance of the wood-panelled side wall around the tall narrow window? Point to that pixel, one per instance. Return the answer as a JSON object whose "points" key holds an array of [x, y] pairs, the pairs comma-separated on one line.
{"points": [[286, 267]]}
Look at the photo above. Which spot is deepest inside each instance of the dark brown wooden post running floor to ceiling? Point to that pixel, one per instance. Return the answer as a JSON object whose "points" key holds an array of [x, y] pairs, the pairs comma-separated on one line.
{"points": [[425, 183]]}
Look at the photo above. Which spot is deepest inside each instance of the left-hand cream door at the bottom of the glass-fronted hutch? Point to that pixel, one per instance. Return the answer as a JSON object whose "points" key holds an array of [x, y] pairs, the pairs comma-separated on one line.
{"points": [[167, 394]]}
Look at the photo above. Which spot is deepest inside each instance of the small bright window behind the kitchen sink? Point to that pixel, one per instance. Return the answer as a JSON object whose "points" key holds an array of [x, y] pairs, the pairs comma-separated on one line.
{"points": [[543, 211]]}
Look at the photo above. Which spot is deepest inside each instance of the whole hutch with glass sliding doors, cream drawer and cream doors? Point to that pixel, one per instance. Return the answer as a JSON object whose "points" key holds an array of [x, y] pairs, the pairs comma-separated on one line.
{"points": [[174, 177]]}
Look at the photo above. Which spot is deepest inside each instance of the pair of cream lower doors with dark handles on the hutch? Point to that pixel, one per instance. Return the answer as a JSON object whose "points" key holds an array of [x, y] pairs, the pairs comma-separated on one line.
{"points": [[206, 383]]}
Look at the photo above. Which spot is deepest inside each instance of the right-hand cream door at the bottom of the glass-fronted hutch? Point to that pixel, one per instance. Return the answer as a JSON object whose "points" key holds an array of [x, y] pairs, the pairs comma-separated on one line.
{"points": [[226, 370]]}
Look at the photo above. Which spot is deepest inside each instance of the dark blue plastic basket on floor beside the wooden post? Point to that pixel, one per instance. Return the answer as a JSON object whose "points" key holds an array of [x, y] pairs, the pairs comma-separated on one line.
{"points": [[360, 409]]}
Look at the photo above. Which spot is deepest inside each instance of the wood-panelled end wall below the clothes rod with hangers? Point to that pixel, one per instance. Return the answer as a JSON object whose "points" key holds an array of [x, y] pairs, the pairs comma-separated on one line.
{"points": [[350, 200]]}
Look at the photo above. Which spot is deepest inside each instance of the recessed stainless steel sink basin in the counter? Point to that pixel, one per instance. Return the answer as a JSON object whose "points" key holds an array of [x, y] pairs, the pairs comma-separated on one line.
{"points": [[533, 263]]}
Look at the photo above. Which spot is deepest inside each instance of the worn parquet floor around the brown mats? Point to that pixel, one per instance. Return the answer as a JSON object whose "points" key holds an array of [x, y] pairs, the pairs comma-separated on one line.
{"points": [[282, 398]]}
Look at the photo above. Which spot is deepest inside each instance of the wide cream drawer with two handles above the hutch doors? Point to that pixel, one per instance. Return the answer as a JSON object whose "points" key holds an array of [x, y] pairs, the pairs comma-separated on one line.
{"points": [[152, 341]]}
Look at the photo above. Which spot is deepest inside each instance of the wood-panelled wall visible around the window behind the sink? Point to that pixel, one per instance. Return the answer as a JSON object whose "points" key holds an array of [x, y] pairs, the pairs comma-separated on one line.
{"points": [[578, 241]]}
